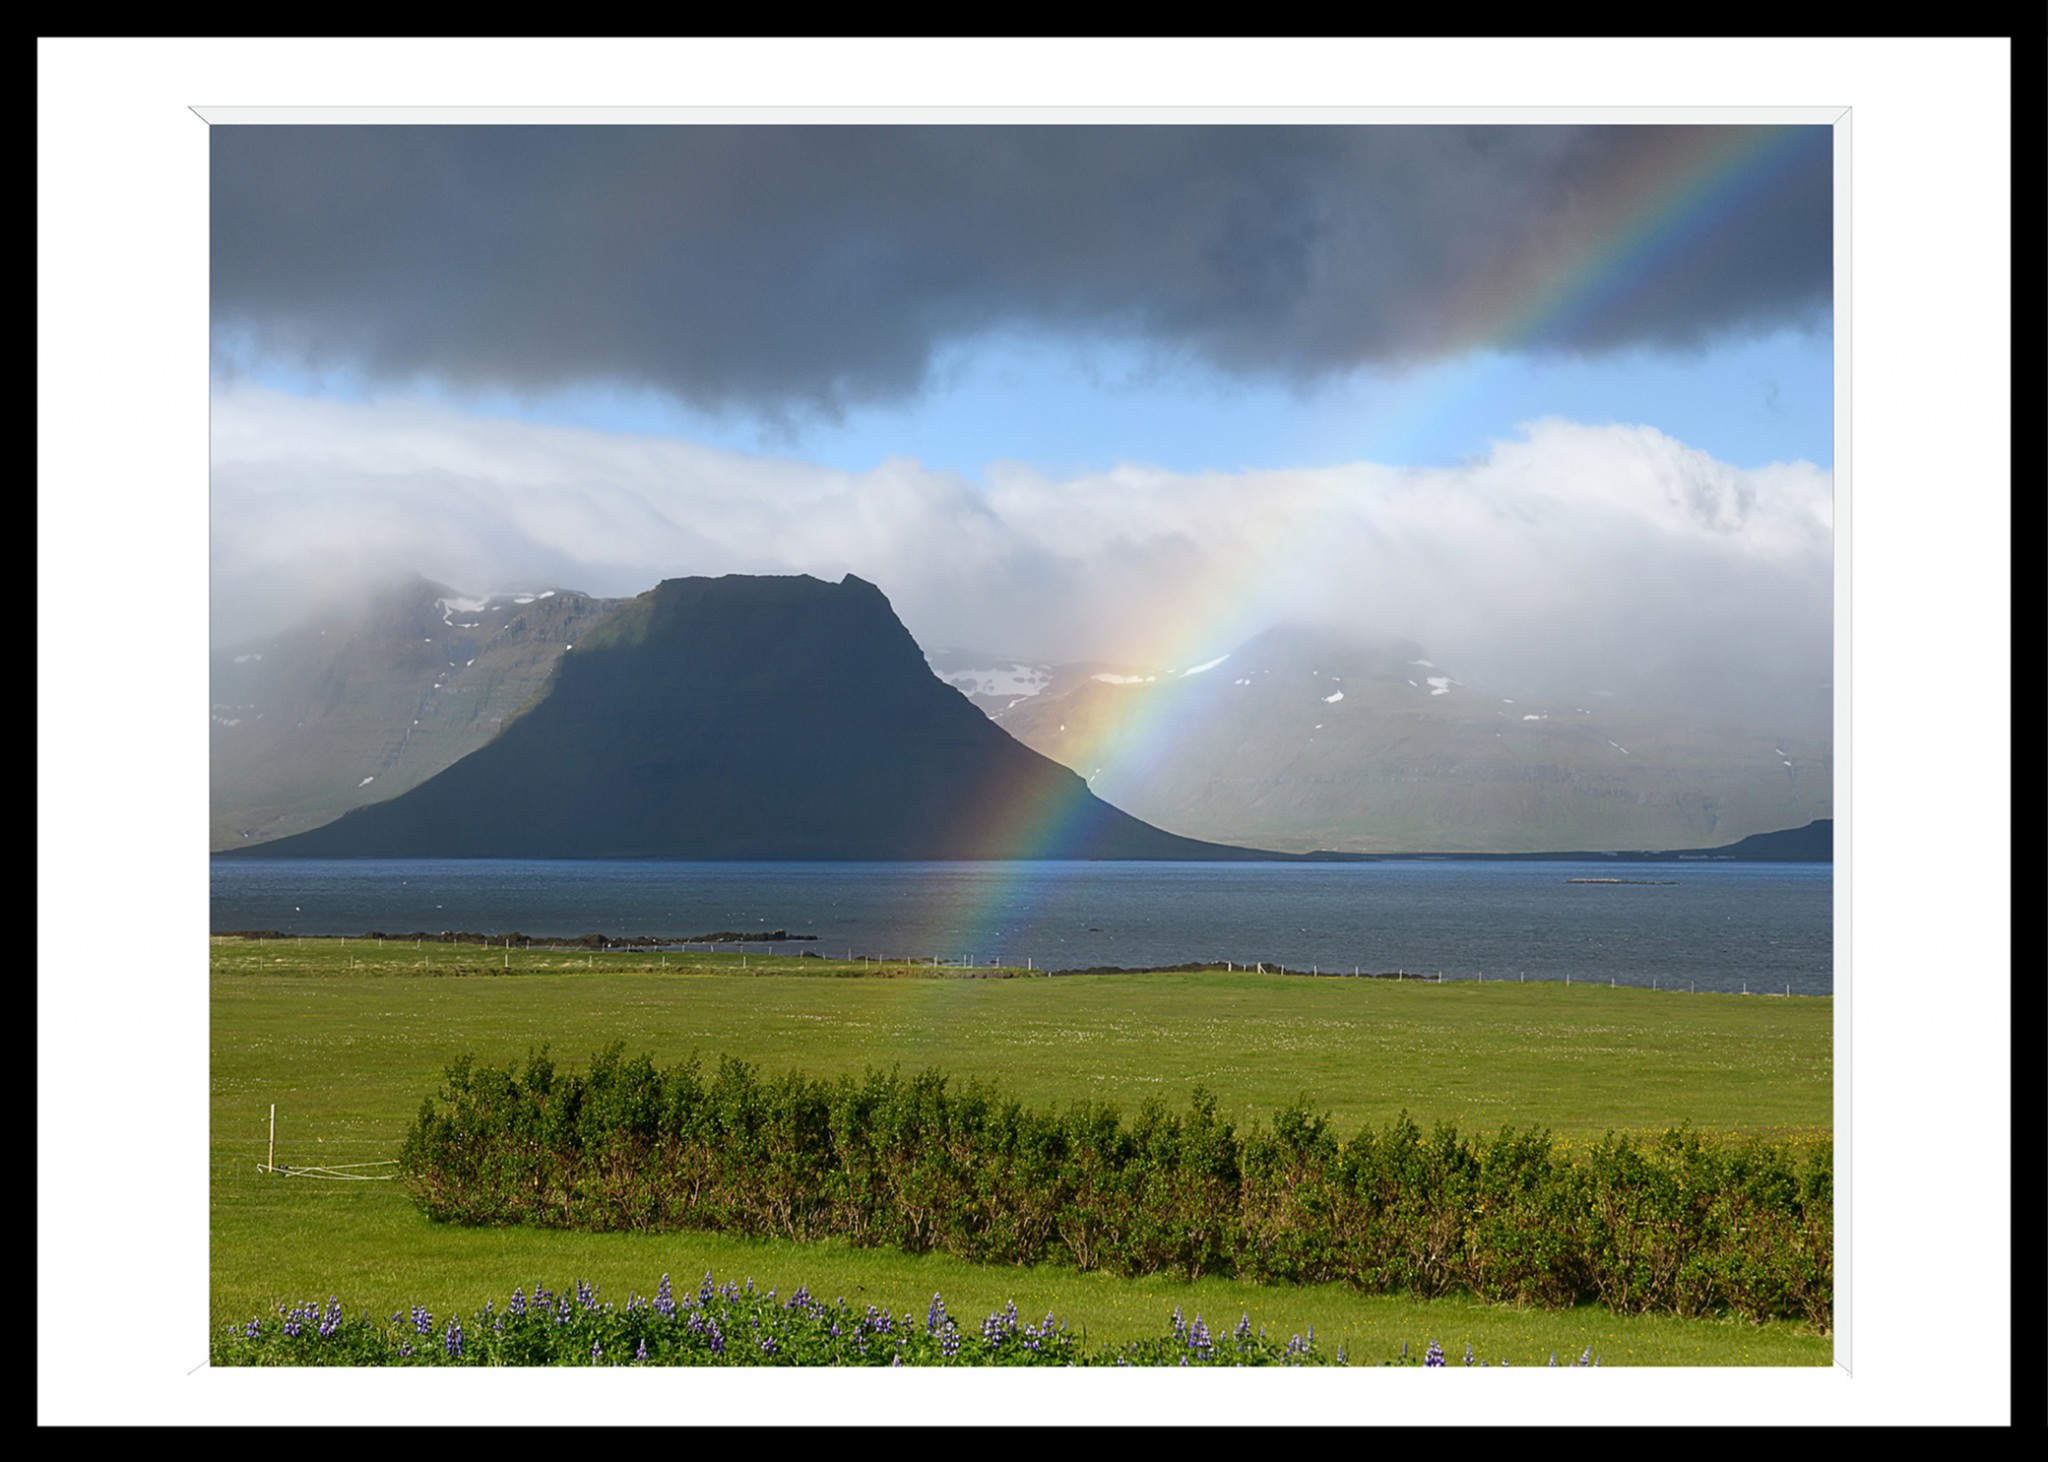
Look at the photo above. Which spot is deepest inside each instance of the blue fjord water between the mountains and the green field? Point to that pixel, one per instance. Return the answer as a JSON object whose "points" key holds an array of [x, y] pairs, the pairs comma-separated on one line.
{"points": [[1715, 927]]}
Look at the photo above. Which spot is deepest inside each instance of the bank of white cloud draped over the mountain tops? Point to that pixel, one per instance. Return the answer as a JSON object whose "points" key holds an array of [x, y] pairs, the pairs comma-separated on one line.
{"points": [[1568, 552]]}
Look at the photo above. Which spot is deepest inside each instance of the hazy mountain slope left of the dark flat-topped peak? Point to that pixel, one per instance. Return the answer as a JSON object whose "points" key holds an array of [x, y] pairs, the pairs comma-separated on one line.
{"points": [[372, 699]]}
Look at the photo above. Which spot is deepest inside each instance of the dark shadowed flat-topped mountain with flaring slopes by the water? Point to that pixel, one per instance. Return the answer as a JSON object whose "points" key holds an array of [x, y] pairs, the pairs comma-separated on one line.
{"points": [[746, 718]]}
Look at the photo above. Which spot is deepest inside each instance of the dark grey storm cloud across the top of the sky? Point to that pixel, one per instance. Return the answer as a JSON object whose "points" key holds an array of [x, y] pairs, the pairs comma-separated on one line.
{"points": [[818, 267]]}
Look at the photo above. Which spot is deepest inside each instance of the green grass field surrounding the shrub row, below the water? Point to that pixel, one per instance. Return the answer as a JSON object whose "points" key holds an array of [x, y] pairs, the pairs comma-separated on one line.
{"points": [[349, 1037]]}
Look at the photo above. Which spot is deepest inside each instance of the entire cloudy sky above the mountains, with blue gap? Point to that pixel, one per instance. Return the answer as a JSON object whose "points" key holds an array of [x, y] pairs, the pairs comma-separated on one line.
{"points": [[1553, 402]]}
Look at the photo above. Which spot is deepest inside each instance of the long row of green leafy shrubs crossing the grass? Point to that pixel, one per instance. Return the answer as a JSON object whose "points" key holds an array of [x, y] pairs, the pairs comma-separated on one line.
{"points": [[1678, 1225]]}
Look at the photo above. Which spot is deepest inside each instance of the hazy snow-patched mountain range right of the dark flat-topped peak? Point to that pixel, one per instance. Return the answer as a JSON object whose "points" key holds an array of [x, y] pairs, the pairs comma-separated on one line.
{"points": [[1314, 740]]}
